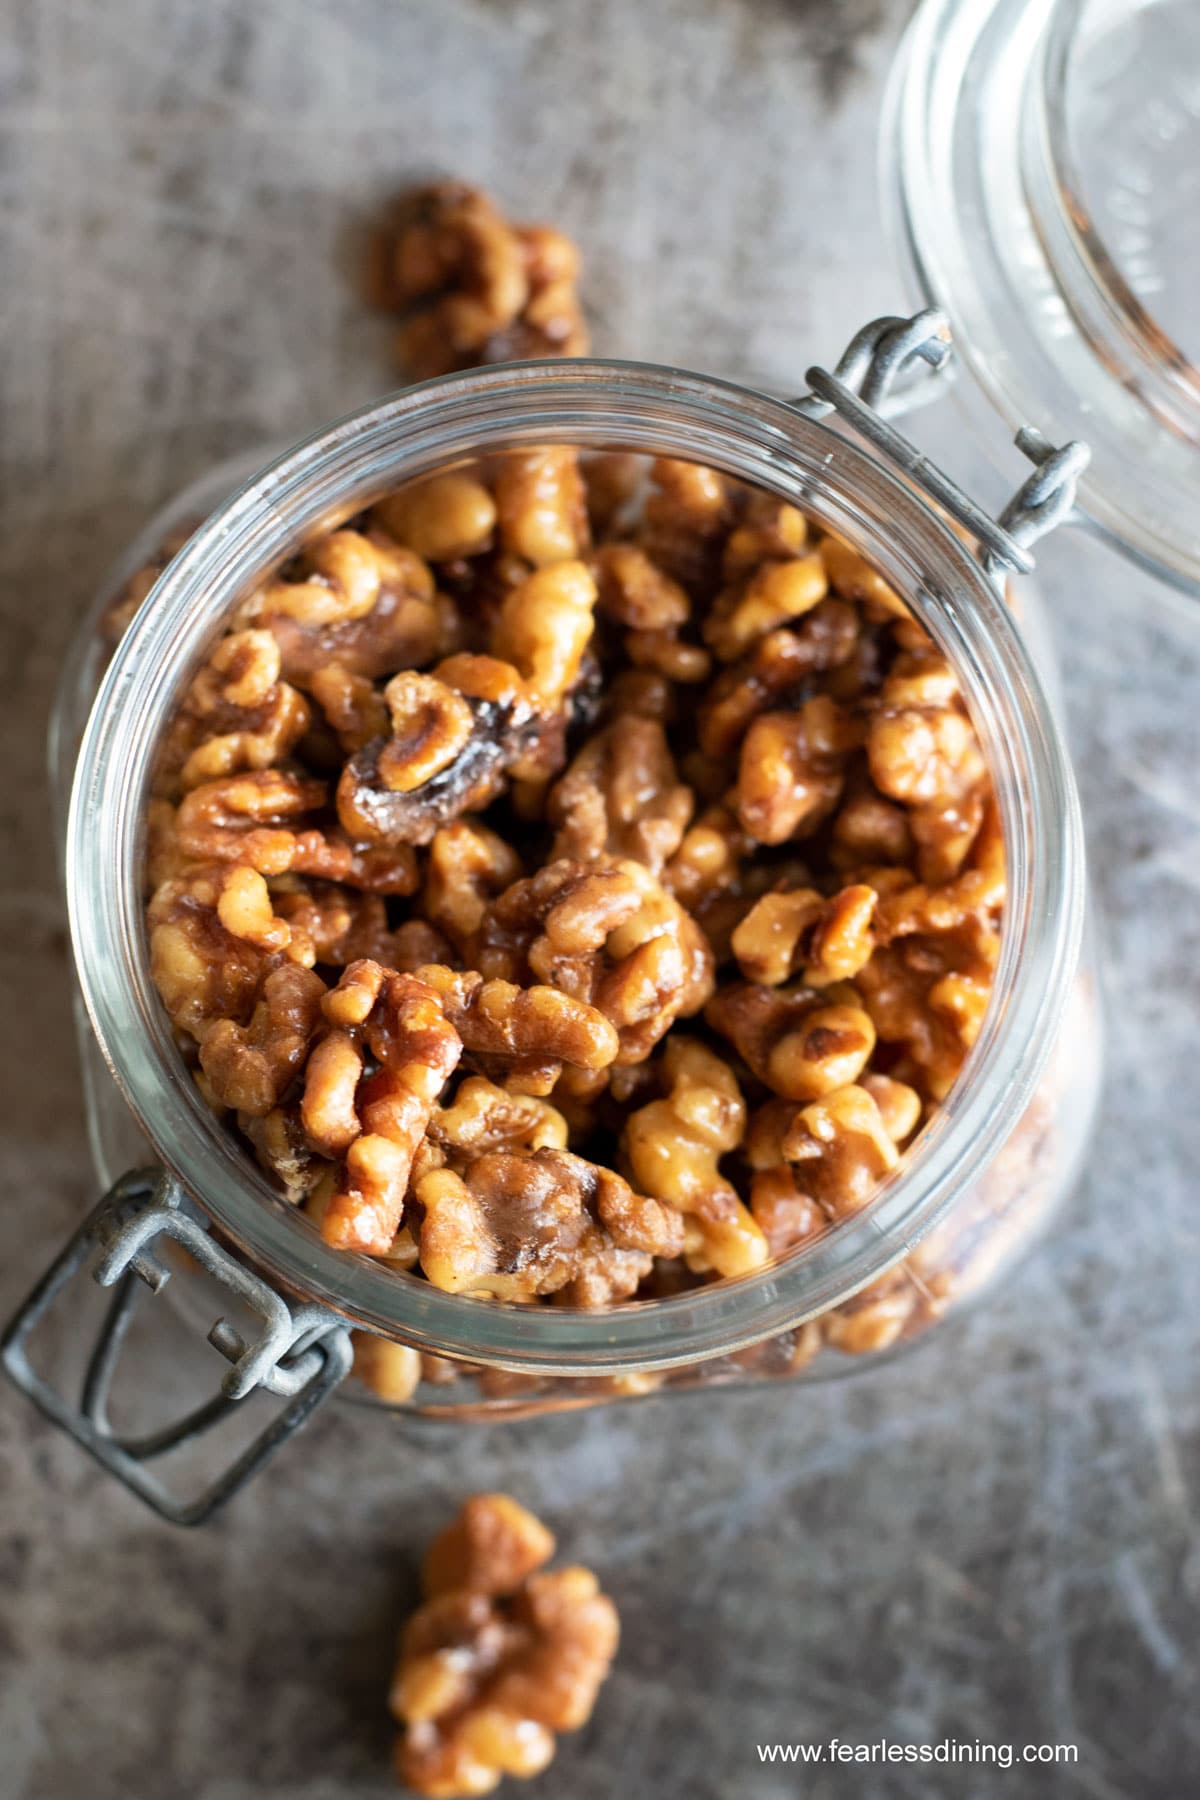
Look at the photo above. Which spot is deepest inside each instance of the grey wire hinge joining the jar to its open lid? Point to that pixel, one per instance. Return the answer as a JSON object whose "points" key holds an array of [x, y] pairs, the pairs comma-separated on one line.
{"points": [[897, 363]]}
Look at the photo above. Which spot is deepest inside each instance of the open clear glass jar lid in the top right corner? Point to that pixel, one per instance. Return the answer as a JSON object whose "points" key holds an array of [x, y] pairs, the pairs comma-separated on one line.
{"points": [[1044, 168]]}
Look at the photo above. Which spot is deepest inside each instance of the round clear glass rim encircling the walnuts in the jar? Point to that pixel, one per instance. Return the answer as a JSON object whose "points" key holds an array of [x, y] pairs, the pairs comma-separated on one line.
{"points": [[596, 406]]}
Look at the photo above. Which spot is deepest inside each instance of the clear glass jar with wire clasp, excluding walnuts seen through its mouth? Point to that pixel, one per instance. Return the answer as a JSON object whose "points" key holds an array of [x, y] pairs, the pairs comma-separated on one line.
{"points": [[971, 1194]]}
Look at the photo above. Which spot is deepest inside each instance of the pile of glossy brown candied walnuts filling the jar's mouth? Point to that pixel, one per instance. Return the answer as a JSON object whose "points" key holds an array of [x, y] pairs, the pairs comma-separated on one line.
{"points": [[577, 877]]}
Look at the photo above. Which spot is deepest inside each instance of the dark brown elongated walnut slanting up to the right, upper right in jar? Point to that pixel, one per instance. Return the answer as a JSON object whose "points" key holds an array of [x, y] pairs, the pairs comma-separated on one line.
{"points": [[780, 672]]}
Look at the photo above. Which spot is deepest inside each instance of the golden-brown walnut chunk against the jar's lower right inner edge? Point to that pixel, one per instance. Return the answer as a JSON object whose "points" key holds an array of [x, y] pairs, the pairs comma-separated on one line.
{"points": [[837, 1147]]}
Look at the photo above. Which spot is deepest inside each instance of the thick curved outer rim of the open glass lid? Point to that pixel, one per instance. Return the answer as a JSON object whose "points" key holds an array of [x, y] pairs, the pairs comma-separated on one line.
{"points": [[985, 208]]}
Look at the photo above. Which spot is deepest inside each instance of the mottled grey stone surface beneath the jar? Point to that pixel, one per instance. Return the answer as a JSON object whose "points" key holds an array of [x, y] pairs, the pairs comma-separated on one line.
{"points": [[998, 1538]]}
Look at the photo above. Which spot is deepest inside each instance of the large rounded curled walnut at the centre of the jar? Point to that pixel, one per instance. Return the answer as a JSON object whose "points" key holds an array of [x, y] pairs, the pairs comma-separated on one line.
{"points": [[613, 937]]}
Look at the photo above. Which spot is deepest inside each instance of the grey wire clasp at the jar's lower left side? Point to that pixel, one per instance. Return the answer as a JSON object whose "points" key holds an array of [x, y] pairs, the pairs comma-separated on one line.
{"points": [[300, 1354]]}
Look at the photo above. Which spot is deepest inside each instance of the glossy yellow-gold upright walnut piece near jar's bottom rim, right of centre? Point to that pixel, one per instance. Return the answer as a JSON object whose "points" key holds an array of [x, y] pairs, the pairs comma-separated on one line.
{"points": [[674, 1149]]}
